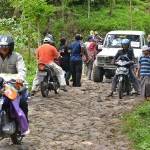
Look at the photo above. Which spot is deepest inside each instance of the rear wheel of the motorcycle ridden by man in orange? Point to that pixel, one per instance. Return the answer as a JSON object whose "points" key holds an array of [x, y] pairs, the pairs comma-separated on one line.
{"points": [[44, 87]]}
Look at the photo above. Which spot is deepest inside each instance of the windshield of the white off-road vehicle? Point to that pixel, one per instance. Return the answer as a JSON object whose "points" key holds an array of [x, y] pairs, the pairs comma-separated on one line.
{"points": [[114, 40]]}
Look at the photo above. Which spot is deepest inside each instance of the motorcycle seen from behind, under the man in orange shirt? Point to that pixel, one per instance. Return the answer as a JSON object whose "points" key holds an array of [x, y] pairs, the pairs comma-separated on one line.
{"points": [[48, 80]]}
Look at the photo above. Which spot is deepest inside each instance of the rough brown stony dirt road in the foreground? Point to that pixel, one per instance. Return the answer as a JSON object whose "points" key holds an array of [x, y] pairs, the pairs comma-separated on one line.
{"points": [[81, 119]]}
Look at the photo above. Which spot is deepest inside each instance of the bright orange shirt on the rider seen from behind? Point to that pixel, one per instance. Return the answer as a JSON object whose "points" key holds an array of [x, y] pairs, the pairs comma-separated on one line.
{"points": [[46, 54]]}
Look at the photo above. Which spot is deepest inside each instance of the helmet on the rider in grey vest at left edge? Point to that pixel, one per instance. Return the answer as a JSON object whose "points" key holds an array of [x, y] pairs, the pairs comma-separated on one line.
{"points": [[7, 42]]}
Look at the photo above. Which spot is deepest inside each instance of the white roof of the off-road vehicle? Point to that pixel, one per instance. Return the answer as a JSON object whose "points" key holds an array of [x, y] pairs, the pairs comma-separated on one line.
{"points": [[127, 32]]}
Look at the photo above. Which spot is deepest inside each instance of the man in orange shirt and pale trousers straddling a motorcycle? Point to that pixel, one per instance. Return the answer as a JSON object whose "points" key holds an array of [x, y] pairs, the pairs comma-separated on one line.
{"points": [[46, 54]]}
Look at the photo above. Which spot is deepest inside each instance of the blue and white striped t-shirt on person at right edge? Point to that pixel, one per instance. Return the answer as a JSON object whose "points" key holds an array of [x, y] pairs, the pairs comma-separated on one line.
{"points": [[144, 66]]}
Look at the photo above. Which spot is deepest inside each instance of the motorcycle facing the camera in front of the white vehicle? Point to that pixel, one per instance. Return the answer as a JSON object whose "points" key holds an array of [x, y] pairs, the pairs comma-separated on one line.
{"points": [[122, 72]]}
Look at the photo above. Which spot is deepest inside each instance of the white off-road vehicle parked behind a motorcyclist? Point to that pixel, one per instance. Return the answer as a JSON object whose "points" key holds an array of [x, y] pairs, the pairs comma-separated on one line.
{"points": [[112, 43]]}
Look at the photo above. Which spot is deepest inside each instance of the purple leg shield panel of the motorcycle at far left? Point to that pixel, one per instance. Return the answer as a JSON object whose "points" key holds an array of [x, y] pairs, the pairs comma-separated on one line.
{"points": [[19, 115]]}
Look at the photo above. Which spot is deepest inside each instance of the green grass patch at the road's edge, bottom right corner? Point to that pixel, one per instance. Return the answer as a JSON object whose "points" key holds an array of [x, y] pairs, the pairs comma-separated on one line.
{"points": [[137, 126]]}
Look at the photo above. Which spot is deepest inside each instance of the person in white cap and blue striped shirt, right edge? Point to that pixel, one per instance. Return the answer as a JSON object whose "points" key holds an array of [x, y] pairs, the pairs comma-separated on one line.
{"points": [[144, 72]]}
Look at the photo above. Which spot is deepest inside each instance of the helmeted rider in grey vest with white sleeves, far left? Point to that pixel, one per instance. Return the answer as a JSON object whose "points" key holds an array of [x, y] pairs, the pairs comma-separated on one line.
{"points": [[12, 63]]}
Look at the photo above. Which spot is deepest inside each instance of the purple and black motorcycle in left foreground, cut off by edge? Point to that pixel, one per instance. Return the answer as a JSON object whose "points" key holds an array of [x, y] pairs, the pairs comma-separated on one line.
{"points": [[13, 122]]}
